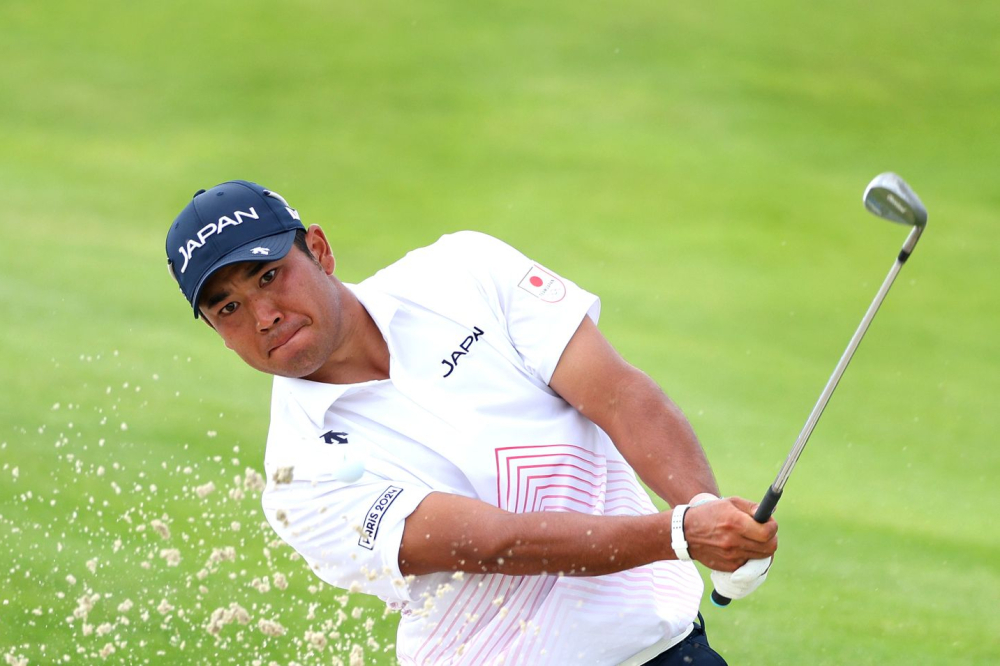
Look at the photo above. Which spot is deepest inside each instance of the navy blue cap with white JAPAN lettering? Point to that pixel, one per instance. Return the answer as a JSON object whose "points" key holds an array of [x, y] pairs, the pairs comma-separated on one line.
{"points": [[232, 222]]}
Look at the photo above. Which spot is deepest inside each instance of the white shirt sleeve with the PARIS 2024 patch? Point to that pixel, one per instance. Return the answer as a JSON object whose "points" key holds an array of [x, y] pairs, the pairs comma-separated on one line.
{"points": [[349, 533]]}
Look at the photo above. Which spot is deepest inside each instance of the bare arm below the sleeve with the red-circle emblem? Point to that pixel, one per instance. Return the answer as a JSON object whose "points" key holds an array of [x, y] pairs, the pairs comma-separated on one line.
{"points": [[648, 429]]}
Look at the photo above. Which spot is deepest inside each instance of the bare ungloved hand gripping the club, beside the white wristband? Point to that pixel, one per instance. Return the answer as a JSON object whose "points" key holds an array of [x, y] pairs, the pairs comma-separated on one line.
{"points": [[723, 535]]}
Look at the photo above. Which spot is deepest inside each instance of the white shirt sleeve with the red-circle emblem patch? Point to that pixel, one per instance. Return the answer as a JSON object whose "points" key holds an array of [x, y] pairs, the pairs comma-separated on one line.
{"points": [[541, 309]]}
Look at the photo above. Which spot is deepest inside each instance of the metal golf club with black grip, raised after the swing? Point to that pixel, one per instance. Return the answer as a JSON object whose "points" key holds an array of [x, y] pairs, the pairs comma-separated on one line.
{"points": [[889, 197]]}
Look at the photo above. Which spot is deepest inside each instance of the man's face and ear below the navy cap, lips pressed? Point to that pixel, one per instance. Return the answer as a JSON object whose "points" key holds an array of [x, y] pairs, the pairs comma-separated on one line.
{"points": [[282, 317]]}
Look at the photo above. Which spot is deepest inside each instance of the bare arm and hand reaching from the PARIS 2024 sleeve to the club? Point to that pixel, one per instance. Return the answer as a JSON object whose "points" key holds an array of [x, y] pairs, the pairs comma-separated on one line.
{"points": [[452, 533]]}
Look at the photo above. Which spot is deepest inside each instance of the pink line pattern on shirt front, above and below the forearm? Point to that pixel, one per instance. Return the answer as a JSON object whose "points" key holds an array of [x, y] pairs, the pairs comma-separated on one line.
{"points": [[514, 619]]}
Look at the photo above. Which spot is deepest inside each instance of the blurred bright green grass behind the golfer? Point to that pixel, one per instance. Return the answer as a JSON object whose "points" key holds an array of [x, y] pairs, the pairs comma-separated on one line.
{"points": [[698, 166]]}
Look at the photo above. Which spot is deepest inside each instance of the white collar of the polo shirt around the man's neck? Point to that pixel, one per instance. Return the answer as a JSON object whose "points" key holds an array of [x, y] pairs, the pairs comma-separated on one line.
{"points": [[315, 398]]}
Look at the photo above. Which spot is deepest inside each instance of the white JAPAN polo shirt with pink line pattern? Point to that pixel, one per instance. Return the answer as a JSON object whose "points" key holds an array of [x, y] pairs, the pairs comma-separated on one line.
{"points": [[475, 330]]}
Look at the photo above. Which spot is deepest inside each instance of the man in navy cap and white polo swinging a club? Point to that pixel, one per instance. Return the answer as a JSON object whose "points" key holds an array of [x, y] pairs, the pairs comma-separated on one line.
{"points": [[455, 436]]}
